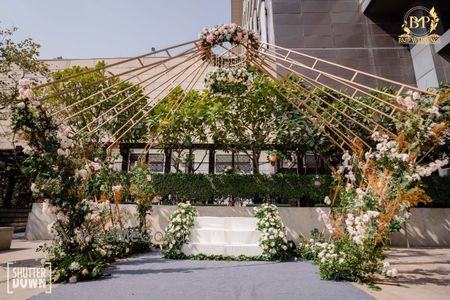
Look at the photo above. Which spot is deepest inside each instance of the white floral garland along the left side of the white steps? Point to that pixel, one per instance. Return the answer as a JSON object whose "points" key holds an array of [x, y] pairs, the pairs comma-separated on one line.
{"points": [[178, 230]]}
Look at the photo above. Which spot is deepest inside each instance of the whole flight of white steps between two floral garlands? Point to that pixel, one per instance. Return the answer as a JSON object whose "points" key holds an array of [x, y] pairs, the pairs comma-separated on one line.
{"points": [[228, 236]]}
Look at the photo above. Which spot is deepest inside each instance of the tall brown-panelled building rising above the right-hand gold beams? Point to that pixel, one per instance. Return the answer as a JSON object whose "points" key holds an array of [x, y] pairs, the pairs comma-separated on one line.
{"points": [[361, 34]]}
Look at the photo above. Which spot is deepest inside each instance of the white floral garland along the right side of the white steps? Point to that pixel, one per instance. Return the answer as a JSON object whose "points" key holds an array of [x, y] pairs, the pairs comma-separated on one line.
{"points": [[273, 240]]}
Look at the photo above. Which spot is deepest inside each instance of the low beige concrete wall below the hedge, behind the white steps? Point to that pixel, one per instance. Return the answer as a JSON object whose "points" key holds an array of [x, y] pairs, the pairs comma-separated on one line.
{"points": [[429, 227]]}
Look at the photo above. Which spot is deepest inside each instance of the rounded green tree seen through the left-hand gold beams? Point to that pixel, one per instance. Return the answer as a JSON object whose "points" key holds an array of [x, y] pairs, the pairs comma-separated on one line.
{"points": [[121, 96]]}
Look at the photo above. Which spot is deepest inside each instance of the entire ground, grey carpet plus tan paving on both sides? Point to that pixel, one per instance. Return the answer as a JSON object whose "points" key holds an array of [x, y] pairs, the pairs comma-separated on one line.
{"points": [[423, 274]]}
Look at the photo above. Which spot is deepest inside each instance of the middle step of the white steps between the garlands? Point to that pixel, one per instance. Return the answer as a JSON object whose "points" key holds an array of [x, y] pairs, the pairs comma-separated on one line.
{"points": [[225, 236]]}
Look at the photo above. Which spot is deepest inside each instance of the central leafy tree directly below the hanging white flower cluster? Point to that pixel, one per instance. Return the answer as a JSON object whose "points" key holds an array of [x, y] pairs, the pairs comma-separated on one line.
{"points": [[247, 121]]}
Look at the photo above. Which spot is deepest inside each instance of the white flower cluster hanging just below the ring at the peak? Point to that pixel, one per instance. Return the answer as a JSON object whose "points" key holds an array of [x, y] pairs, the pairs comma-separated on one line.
{"points": [[222, 80]]}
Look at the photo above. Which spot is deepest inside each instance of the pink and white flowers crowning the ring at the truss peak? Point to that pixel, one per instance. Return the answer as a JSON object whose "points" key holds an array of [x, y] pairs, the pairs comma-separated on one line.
{"points": [[231, 33]]}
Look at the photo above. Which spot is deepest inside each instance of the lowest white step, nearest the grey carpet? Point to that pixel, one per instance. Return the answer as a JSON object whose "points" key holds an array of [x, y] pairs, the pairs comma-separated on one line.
{"points": [[222, 249]]}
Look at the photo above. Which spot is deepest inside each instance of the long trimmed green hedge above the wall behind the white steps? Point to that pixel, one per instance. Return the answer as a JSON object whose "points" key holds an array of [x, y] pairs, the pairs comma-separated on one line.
{"points": [[205, 187]]}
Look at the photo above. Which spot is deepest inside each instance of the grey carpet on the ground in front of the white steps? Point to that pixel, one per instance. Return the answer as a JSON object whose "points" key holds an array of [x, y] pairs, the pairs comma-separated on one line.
{"points": [[151, 277]]}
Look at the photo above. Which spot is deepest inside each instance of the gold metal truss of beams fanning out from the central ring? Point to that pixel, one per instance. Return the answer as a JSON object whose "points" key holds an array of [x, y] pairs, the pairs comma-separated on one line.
{"points": [[185, 65]]}
